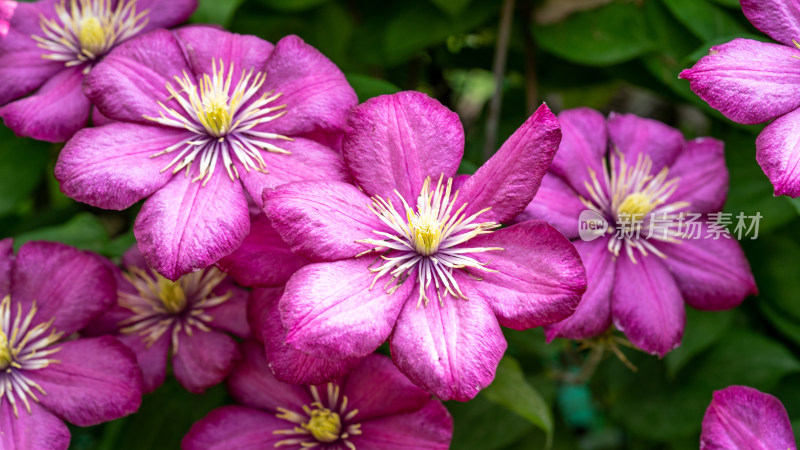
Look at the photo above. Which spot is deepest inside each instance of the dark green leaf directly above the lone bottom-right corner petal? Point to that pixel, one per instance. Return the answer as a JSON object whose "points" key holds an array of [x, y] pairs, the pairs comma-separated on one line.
{"points": [[746, 358]]}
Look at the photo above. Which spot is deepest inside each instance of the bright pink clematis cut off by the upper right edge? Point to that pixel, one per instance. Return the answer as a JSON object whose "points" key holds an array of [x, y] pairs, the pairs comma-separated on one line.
{"points": [[753, 82]]}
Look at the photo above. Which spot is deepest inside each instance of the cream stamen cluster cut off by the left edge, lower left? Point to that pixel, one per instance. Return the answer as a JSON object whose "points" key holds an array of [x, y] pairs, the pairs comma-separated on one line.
{"points": [[23, 348]]}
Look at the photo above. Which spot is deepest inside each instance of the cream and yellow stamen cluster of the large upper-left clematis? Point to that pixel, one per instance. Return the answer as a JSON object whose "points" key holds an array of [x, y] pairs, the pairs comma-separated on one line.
{"points": [[222, 120]]}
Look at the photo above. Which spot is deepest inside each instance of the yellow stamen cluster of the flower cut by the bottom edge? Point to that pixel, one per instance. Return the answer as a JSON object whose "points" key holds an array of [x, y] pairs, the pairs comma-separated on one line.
{"points": [[322, 422]]}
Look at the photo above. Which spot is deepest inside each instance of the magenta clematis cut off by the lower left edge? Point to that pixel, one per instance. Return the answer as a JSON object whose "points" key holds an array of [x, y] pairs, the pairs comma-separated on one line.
{"points": [[49, 292]]}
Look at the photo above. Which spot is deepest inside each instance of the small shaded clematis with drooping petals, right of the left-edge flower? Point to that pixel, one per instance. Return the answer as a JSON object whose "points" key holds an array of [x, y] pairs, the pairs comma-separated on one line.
{"points": [[188, 319]]}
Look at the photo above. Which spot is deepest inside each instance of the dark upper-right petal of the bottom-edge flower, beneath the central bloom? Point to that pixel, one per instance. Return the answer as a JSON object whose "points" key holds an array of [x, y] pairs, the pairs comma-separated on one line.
{"points": [[379, 390]]}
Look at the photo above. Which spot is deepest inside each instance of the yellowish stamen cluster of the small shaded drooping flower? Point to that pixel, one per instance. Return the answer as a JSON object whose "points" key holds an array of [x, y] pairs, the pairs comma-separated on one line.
{"points": [[160, 306]]}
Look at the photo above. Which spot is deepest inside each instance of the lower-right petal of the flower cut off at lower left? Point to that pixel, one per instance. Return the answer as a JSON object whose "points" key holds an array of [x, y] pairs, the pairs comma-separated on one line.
{"points": [[96, 380]]}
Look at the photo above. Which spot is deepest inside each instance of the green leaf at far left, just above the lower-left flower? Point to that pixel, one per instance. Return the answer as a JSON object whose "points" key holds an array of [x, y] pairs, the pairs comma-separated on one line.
{"points": [[83, 231]]}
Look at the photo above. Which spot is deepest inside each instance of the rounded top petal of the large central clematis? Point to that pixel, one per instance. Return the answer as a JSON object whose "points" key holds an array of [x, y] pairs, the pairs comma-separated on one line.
{"points": [[396, 141]]}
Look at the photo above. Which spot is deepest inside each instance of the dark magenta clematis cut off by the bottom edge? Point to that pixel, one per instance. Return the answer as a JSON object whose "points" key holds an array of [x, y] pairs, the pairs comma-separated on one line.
{"points": [[375, 407]]}
